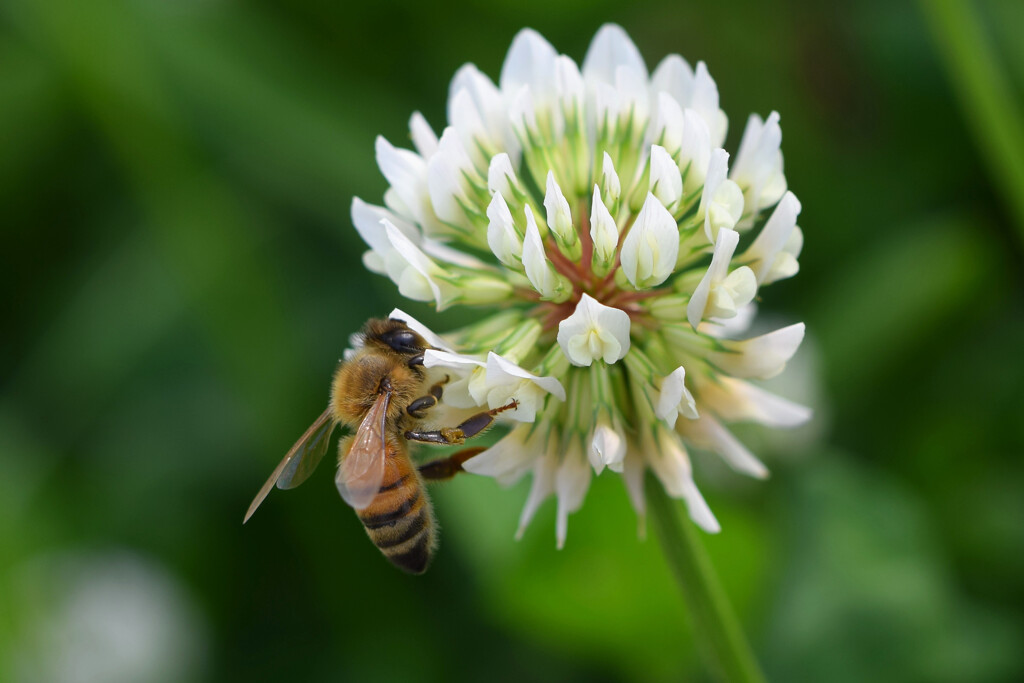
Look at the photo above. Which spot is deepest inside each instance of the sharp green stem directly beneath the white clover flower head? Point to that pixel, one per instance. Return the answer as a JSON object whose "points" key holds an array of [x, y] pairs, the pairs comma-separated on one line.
{"points": [[714, 622]]}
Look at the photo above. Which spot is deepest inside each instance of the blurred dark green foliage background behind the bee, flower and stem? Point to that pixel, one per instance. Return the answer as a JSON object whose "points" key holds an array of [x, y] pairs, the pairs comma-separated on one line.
{"points": [[181, 277]]}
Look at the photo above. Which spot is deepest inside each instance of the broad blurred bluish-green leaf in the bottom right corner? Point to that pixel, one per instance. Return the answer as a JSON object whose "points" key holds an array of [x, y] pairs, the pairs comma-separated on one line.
{"points": [[867, 596]]}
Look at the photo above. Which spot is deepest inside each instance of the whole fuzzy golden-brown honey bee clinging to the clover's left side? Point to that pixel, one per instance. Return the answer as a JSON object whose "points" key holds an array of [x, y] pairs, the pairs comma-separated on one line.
{"points": [[381, 391]]}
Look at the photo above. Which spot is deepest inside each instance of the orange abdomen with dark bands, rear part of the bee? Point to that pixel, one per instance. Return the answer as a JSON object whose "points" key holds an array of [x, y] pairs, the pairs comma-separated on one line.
{"points": [[400, 521]]}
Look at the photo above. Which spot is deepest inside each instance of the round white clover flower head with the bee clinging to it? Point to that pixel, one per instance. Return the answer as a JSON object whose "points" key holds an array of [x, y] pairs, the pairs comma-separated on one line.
{"points": [[595, 210]]}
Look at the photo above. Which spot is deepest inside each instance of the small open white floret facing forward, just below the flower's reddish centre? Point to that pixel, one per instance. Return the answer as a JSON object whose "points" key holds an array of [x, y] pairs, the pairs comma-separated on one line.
{"points": [[594, 331]]}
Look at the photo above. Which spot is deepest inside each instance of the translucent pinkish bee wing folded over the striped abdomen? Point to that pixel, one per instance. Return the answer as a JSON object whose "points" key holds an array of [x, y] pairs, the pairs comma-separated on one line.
{"points": [[362, 469]]}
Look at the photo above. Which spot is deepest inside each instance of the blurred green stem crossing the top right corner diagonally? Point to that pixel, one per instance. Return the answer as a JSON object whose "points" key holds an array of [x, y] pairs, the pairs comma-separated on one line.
{"points": [[986, 95]]}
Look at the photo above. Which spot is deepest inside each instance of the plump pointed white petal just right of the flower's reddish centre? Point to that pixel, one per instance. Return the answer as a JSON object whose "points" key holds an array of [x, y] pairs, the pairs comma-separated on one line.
{"points": [[650, 251]]}
